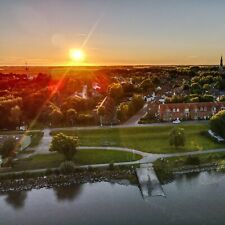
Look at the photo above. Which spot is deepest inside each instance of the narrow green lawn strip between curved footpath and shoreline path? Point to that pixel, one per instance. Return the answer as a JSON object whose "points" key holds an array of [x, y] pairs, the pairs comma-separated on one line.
{"points": [[82, 157]]}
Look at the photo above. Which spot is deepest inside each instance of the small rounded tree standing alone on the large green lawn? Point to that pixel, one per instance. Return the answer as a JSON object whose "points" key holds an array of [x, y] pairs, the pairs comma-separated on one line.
{"points": [[177, 137]]}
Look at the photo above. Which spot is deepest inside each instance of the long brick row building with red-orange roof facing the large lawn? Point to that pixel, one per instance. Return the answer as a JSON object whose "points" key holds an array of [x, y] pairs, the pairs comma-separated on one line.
{"points": [[189, 111]]}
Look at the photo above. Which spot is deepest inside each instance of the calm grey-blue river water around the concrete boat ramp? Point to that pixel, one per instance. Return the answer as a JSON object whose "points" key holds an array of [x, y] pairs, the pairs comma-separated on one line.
{"points": [[192, 199]]}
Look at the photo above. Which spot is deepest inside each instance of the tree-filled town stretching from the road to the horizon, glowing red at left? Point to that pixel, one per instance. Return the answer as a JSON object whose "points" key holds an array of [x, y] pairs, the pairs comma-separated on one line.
{"points": [[109, 95]]}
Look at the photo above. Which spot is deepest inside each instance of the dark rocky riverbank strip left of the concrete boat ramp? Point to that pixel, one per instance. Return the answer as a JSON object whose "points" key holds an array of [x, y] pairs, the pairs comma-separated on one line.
{"points": [[54, 178]]}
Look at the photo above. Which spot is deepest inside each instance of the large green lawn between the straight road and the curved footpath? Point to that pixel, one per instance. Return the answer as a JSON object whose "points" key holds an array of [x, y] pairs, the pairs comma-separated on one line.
{"points": [[147, 139]]}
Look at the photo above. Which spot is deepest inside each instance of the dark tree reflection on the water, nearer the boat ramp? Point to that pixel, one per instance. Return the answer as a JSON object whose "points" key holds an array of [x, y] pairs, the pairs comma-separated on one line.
{"points": [[68, 193]]}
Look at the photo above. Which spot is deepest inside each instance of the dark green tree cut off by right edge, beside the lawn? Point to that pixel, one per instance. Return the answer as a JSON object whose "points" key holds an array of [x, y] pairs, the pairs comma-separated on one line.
{"points": [[217, 123]]}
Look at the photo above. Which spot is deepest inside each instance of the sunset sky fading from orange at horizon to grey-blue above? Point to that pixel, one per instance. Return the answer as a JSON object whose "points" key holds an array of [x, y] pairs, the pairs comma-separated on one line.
{"points": [[112, 32]]}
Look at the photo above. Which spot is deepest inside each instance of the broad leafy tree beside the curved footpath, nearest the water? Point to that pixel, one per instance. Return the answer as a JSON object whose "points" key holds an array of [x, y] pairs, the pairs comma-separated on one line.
{"points": [[63, 144]]}
